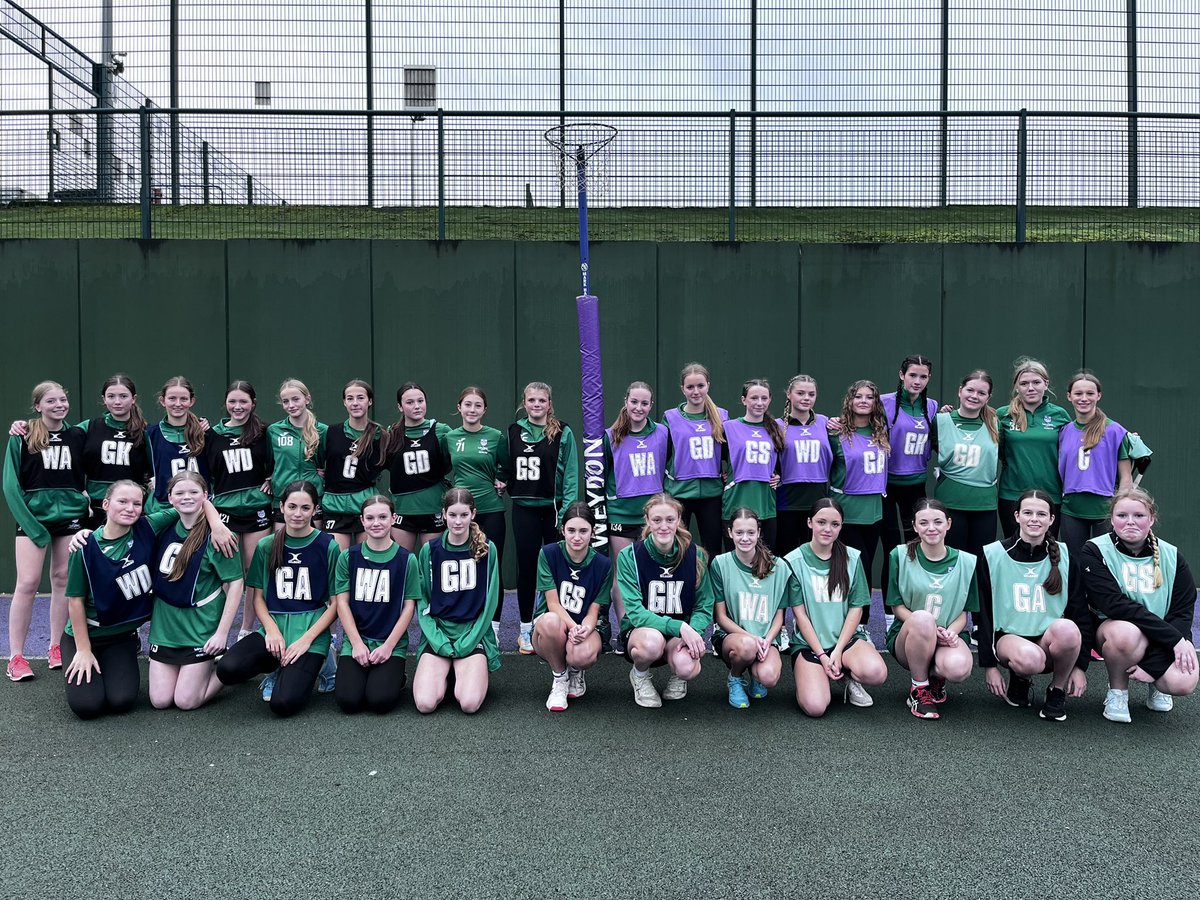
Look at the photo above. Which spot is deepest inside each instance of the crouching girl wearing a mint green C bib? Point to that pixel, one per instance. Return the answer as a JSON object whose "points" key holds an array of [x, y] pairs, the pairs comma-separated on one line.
{"points": [[932, 589]]}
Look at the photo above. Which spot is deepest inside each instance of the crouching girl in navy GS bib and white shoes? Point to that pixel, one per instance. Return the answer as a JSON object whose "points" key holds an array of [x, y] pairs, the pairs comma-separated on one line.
{"points": [[575, 585]]}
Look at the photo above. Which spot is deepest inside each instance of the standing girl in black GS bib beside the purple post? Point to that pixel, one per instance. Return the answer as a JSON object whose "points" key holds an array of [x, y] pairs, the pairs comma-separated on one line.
{"points": [[545, 482]]}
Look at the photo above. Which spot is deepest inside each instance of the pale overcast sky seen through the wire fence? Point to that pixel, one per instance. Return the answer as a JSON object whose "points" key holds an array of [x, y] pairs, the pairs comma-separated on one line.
{"points": [[626, 55]]}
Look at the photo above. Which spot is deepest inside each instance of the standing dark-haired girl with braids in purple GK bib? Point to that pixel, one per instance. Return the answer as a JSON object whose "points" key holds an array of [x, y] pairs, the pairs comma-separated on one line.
{"points": [[910, 416]]}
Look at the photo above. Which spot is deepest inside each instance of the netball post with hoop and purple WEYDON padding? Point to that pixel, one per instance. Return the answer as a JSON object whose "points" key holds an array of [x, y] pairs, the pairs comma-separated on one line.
{"points": [[586, 147]]}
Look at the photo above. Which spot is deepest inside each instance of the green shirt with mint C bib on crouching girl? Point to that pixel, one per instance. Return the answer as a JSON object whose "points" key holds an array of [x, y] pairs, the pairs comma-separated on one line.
{"points": [[945, 589]]}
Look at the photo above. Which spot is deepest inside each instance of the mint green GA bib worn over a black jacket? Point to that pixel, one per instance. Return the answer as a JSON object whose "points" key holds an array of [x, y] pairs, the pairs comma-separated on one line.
{"points": [[1019, 603]]}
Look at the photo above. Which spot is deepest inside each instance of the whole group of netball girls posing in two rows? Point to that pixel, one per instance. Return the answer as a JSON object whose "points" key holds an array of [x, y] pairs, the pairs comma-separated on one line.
{"points": [[735, 477]]}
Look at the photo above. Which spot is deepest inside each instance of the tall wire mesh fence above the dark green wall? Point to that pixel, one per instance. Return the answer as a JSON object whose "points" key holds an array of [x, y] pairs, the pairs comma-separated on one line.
{"points": [[755, 119]]}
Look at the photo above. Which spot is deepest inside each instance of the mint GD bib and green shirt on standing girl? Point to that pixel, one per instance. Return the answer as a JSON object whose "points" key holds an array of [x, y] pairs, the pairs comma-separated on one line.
{"points": [[969, 463]]}
